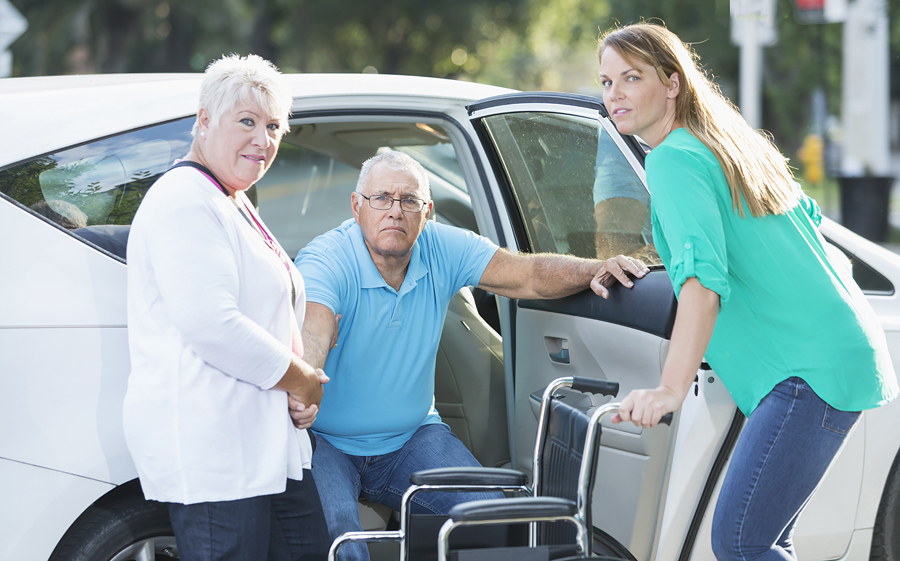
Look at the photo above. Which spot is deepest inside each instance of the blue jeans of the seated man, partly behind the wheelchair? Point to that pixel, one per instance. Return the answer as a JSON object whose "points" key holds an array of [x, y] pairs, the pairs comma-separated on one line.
{"points": [[343, 479]]}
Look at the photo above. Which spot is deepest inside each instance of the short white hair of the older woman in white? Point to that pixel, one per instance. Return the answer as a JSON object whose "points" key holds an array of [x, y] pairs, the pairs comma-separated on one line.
{"points": [[233, 78]]}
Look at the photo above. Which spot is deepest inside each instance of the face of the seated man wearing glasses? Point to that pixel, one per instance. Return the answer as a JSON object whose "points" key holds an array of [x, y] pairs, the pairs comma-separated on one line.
{"points": [[390, 233]]}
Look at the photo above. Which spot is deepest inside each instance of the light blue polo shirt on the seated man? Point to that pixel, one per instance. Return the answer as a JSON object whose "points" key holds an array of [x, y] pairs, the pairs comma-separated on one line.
{"points": [[382, 370]]}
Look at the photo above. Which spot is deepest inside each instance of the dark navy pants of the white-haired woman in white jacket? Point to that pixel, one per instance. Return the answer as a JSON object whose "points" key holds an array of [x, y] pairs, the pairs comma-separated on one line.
{"points": [[288, 526]]}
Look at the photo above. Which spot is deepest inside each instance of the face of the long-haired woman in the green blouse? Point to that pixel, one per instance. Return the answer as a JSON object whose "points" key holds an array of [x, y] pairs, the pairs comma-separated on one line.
{"points": [[637, 100]]}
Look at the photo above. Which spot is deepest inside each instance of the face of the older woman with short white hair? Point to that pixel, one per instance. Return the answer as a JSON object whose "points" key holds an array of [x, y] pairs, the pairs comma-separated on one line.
{"points": [[240, 148]]}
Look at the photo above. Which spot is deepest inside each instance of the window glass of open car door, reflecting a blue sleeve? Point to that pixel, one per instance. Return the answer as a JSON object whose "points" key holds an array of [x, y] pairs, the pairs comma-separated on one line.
{"points": [[575, 190]]}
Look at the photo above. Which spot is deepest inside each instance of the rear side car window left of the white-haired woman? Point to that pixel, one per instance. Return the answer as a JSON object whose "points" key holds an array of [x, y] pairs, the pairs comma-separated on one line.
{"points": [[94, 189]]}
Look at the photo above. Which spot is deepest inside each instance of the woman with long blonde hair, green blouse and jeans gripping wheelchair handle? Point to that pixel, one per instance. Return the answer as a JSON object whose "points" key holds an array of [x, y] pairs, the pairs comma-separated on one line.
{"points": [[789, 333]]}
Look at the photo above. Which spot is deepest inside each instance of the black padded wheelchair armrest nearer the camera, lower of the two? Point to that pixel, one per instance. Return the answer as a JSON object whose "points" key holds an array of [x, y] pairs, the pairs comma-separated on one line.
{"points": [[516, 509]]}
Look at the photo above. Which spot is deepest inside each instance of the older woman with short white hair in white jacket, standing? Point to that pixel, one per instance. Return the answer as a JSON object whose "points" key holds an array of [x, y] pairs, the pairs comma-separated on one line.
{"points": [[214, 314]]}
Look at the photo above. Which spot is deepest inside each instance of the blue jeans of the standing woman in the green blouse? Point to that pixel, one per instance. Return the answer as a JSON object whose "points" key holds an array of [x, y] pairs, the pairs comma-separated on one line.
{"points": [[786, 448]]}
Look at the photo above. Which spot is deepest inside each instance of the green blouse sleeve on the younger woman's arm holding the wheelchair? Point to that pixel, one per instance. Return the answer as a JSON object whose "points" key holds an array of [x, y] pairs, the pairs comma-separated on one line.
{"points": [[687, 215]]}
